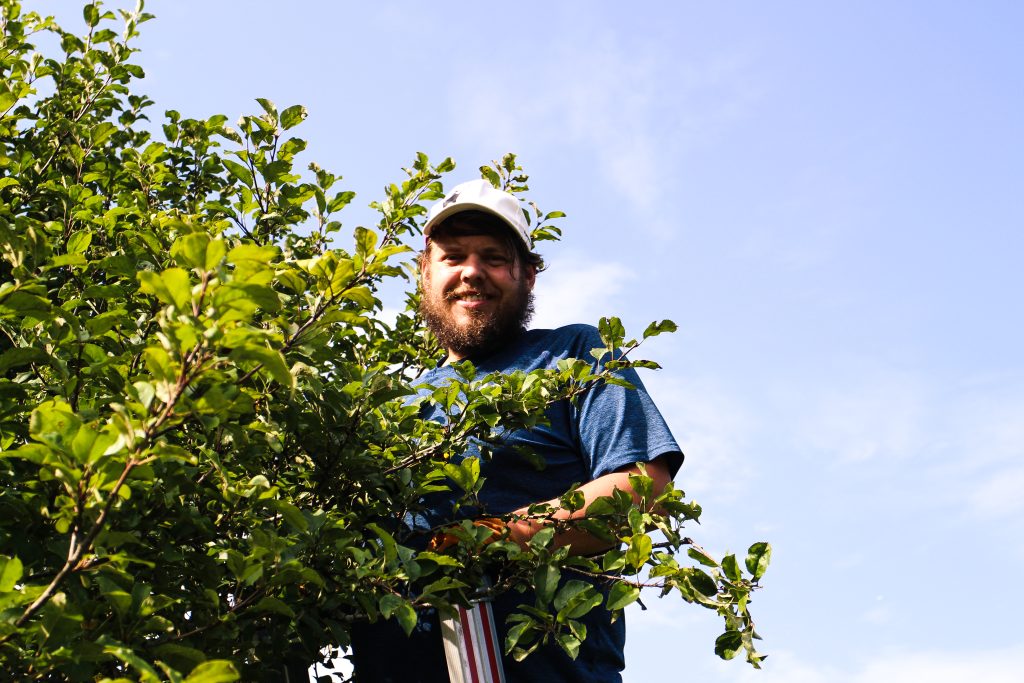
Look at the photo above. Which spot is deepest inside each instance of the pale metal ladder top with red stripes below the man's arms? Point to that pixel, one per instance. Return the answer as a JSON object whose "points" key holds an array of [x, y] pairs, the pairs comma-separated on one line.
{"points": [[472, 646]]}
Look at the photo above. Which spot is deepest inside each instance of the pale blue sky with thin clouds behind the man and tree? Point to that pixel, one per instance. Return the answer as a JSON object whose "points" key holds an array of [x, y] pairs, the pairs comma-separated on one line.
{"points": [[826, 197]]}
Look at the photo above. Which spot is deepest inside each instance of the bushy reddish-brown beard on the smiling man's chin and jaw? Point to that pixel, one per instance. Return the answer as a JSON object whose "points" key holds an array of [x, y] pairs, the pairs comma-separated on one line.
{"points": [[486, 331]]}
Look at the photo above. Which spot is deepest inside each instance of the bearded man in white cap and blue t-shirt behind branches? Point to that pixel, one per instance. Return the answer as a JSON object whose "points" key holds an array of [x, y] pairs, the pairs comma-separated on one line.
{"points": [[477, 278]]}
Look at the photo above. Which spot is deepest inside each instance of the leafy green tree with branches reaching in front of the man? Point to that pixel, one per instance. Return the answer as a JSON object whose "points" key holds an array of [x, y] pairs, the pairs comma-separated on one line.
{"points": [[208, 435]]}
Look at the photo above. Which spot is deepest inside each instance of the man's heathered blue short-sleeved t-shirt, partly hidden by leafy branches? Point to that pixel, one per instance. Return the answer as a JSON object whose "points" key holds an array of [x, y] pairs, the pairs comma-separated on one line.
{"points": [[610, 428]]}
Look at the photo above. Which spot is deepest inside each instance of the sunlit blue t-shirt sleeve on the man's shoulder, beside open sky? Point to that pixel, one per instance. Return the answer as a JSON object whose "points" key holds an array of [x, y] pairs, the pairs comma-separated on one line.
{"points": [[619, 426]]}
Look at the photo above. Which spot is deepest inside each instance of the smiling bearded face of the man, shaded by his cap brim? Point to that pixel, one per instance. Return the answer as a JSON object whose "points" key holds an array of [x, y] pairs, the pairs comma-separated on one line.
{"points": [[475, 295]]}
